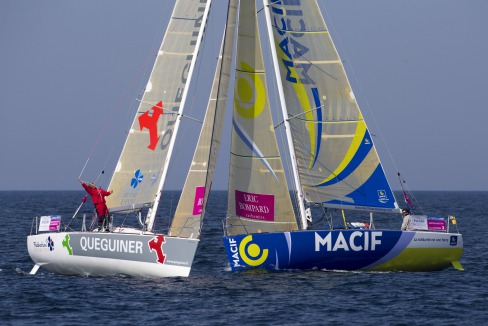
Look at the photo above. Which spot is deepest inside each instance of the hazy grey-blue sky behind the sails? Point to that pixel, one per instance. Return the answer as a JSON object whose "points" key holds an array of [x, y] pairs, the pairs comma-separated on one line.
{"points": [[70, 72]]}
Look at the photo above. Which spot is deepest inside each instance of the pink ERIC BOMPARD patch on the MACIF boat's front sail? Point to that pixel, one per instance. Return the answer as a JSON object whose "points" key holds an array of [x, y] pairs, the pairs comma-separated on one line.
{"points": [[255, 206]]}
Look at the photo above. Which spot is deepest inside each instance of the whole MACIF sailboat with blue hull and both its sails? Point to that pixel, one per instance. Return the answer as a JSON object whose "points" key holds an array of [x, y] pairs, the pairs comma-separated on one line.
{"points": [[334, 163]]}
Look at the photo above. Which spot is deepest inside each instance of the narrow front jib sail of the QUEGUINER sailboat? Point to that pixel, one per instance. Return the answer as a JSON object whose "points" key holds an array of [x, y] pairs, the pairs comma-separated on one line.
{"points": [[191, 207]]}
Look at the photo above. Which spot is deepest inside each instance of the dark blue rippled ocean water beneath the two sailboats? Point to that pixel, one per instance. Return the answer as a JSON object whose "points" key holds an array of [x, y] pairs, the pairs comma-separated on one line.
{"points": [[213, 295]]}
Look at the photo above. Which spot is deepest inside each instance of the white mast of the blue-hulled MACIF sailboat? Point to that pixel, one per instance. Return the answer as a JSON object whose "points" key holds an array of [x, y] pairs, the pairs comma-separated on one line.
{"points": [[296, 178]]}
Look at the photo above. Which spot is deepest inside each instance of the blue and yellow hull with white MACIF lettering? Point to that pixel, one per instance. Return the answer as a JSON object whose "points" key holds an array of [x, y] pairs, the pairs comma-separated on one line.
{"points": [[350, 250]]}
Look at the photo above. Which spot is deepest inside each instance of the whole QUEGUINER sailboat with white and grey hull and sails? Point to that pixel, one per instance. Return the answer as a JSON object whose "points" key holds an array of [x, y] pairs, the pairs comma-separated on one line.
{"points": [[139, 176]]}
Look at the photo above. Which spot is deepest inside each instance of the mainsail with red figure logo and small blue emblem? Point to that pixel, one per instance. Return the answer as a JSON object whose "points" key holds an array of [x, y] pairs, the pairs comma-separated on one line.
{"points": [[141, 169]]}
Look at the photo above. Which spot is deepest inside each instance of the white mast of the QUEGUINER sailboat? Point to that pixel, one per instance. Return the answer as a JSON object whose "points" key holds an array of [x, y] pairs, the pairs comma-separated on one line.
{"points": [[152, 211]]}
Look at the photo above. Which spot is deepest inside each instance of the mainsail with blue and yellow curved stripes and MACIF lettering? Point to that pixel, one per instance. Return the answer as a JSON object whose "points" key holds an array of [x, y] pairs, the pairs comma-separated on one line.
{"points": [[337, 162]]}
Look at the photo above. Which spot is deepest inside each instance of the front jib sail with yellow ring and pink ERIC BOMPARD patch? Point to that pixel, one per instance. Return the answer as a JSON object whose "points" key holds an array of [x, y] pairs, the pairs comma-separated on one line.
{"points": [[258, 200]]}
